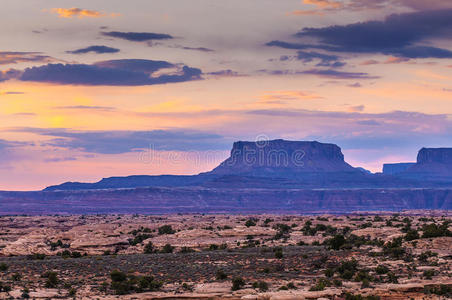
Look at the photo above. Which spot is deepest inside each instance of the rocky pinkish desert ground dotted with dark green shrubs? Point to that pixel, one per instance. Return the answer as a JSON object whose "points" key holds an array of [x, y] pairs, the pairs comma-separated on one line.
{"points": [[356, 256]]}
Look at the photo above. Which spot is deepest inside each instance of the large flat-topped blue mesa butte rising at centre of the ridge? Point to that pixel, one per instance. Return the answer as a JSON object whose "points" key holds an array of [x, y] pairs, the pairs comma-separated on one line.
{"points": [[282, 157]]}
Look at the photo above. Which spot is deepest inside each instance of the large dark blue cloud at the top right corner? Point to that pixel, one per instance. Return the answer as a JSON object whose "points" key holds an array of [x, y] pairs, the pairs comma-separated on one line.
{"points": [[398, 35]]}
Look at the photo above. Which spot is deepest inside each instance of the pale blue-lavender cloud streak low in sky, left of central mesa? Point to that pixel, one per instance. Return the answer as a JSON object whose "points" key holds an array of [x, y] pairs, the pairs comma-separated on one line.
{"points": [[117, 142]]}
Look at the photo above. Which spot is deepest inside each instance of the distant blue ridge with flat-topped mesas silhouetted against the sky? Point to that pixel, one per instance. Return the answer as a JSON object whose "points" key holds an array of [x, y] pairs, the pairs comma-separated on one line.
{"points": [[282, 164]]}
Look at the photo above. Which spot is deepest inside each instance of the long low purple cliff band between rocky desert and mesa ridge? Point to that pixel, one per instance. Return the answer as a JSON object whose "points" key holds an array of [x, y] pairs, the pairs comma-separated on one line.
{"points": [[208, 200]]}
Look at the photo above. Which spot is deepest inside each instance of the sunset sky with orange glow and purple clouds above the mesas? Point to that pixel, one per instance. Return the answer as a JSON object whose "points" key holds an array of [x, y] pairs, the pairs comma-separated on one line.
{"points": [[93, 89]]}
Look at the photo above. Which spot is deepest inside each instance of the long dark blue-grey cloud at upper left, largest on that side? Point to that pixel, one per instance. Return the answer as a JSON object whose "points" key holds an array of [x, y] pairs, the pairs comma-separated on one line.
{"points": [[125, 72]]}
